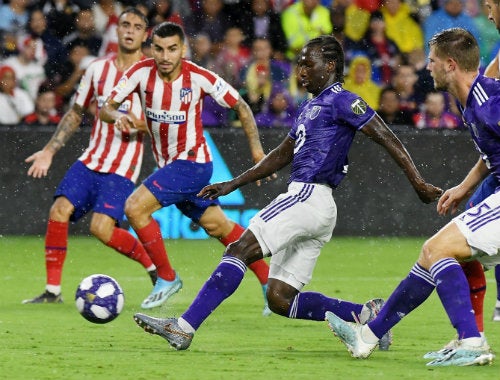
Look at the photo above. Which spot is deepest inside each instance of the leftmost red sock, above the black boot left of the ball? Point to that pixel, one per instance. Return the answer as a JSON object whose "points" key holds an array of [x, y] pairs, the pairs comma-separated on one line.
{"points": [[56, 243]]}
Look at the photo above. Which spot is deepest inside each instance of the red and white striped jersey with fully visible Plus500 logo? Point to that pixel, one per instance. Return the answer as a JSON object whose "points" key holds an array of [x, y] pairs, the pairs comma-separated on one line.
{"points": [[173, 110]]}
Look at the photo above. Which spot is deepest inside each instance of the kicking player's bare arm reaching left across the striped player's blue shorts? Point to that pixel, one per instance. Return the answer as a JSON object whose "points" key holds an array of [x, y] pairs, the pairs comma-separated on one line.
{"points": [[277, 159]]}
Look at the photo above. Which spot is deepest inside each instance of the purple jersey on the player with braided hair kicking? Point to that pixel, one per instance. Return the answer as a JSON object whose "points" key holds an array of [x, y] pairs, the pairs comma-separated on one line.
{"points": [[323, 133]]}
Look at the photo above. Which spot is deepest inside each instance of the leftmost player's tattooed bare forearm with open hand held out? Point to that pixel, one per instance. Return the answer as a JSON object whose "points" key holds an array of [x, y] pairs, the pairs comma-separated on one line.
{"points": [[42, 159]]}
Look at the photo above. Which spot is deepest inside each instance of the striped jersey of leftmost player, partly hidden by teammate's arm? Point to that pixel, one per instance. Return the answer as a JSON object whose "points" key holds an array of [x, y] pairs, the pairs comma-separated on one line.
{"points": [[109, 150]]}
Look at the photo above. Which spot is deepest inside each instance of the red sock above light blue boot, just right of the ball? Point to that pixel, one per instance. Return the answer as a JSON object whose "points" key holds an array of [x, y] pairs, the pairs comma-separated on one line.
{"points": [[152, 241]]}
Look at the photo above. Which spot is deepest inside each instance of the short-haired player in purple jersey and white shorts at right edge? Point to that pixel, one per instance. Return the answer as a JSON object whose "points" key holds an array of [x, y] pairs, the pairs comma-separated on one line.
{"points": [[453, 64]]}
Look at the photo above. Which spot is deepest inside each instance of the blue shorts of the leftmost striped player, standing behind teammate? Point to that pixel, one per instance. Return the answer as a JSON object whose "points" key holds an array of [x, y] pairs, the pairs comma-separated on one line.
{"points": [[88, 190]]}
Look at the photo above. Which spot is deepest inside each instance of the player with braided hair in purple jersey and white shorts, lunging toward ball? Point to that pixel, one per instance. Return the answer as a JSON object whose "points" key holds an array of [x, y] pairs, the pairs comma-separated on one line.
{"points": [[293, 228]]}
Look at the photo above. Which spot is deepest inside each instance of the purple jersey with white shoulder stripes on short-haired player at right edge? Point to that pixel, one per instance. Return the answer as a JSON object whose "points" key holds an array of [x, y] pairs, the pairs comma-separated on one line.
{"points": [[482, 117]]}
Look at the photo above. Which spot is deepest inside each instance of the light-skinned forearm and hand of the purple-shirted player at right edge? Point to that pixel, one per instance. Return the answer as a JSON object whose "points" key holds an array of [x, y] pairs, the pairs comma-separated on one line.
{"points": [[451, 198]]}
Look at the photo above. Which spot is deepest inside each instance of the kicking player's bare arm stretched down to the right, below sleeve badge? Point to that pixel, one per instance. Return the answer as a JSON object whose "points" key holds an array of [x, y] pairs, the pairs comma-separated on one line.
{"points": [[378, 131]]}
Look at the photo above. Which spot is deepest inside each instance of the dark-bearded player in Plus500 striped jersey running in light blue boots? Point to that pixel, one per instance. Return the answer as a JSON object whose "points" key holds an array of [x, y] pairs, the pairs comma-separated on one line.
{"points": [[172, 91]]}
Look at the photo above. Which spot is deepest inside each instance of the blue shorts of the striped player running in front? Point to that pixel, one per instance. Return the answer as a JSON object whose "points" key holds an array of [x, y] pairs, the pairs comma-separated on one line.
{"points": [[178, 183]]}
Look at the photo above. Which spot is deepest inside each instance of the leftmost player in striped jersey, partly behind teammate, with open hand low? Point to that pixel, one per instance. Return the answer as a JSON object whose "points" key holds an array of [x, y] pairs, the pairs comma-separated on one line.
{"points": [[104, 175]]}
